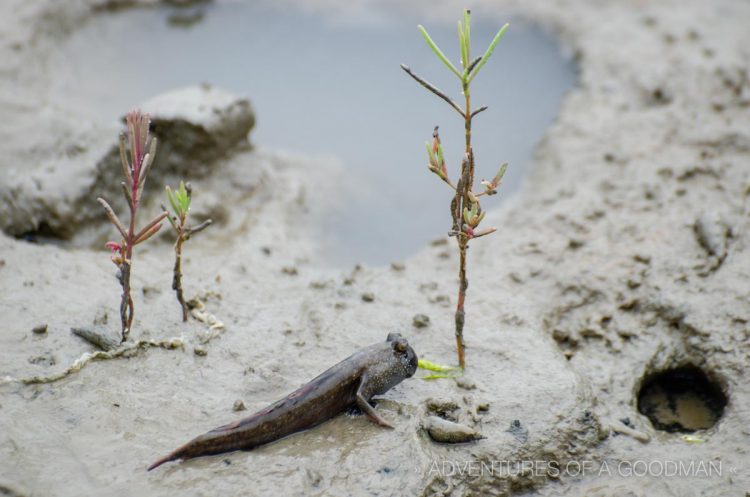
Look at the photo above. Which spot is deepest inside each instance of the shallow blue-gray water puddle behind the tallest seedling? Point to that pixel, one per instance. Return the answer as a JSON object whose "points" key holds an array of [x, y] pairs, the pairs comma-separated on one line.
{"points": [[329, 83]]}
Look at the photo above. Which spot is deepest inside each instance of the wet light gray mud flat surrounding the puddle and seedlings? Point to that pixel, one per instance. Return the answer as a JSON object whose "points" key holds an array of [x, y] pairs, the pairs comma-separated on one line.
{"points": [[624, 254]]}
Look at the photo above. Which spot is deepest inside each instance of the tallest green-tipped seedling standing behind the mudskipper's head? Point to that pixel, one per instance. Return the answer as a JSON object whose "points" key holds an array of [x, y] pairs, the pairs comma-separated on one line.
{"points": [[466, 211]]}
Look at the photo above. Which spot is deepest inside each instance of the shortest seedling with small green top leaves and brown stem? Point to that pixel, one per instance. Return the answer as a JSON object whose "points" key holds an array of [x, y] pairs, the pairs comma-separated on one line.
{"points": [[180, 202]]}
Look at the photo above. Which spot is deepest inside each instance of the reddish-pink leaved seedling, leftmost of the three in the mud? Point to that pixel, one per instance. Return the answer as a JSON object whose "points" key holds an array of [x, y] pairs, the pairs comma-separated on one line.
{"points": [[135, 172]]}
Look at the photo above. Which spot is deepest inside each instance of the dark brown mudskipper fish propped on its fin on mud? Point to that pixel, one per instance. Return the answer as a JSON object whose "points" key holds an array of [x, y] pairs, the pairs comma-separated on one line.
{"points": [[352, 382]]}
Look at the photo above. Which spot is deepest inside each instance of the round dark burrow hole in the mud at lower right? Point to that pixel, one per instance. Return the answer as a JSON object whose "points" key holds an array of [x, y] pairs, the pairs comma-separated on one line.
{"points": [[682, 399]]}
